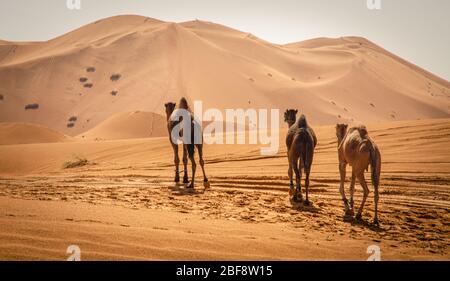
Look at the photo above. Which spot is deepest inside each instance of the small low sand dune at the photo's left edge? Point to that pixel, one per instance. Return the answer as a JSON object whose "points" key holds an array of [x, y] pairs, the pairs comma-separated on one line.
{"points": [[22, 133]]}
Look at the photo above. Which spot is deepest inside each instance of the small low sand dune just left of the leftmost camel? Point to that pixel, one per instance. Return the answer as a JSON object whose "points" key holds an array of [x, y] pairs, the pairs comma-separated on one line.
{"points": [[128, 126]]}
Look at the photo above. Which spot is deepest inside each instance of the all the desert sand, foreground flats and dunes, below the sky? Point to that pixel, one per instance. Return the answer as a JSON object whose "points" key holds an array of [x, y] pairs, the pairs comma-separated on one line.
{"points": [[100, 92]]}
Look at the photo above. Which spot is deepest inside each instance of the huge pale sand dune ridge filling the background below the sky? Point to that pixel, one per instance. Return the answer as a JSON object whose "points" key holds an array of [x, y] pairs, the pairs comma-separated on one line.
{"points": [[346, 79]]}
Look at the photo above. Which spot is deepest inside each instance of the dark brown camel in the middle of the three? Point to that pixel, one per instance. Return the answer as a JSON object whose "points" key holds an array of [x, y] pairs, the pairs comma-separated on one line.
{"points": [[301, 142]]}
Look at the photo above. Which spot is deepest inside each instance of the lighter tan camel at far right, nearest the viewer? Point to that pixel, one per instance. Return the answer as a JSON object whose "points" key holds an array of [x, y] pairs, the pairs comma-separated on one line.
{"points": [[357, 149]]}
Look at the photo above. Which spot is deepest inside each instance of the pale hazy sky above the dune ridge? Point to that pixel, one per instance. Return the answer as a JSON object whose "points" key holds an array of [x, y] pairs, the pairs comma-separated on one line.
{"points": [[417, 30]]}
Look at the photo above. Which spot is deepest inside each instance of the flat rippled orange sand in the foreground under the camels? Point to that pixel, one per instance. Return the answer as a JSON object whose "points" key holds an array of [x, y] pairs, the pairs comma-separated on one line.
{"points": [[124, 205]]}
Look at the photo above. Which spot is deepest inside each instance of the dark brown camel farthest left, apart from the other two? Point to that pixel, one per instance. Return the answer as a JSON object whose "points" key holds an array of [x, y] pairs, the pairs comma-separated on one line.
{"points": [[188, 149]]}
